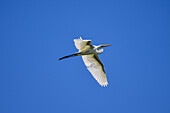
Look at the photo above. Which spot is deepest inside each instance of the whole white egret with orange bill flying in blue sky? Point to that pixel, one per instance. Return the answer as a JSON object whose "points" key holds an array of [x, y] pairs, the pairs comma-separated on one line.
{"points": [[90, 57]]}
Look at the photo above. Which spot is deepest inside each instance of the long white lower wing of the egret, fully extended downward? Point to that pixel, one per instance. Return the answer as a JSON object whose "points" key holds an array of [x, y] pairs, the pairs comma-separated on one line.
{"points": [[96, 68]]}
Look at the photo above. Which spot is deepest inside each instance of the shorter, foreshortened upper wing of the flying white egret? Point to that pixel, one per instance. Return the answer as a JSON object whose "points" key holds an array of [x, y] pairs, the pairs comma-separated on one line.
{"points": [[82, 44]]}
